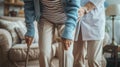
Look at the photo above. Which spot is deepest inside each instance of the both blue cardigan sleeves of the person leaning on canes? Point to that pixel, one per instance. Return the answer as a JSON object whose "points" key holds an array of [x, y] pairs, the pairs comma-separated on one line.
{"points": [[71, 9]]}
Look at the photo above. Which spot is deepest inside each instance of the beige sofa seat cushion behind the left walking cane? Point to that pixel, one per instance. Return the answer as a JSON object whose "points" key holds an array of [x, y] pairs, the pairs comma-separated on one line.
{"points": [[18, 52]]}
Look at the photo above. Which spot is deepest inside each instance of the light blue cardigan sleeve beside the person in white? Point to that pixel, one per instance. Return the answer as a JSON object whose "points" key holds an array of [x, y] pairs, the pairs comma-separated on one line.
{"points": [[71, 9]]}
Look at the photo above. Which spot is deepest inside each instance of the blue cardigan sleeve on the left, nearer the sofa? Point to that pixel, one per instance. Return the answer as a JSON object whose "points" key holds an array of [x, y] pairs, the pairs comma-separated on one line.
{"points": [[29, 17]]}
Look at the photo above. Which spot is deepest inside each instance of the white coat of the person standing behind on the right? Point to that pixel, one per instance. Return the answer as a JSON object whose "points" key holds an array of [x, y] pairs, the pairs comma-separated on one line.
{"points": [[93, 23]]}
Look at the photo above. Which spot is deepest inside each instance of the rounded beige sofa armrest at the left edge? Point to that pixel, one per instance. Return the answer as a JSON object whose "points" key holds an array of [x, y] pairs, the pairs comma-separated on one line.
{"points": [[5, 45]]}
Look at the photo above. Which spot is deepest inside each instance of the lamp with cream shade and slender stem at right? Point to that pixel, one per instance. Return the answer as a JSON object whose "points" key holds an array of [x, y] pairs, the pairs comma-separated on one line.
{"points": [[113, 11]]}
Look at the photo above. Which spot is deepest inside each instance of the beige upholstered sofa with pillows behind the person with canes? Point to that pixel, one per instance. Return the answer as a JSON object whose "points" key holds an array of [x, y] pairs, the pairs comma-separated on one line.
{"points": [[13, 47]]}
